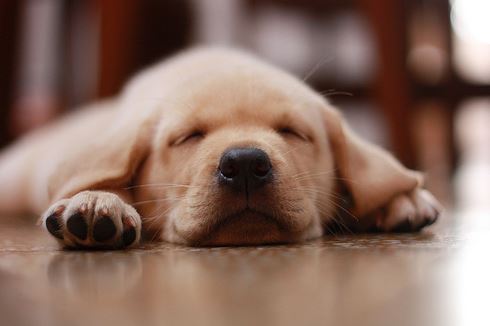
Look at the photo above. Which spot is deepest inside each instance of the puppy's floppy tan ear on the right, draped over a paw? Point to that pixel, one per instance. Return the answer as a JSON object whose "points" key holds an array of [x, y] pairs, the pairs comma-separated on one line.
{"points": [[371, 175]]}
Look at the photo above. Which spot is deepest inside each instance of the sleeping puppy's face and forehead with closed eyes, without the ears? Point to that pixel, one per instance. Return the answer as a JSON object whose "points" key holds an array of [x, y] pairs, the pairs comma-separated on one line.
{"points": [[240, 161]]}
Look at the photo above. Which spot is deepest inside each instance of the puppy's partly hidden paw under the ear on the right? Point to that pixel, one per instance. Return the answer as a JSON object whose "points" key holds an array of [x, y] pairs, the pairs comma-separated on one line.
{"points": [[409, 212]]}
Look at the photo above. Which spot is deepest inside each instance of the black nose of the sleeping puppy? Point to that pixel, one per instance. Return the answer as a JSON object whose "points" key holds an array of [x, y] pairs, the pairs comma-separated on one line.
{"points": [[245, 169]]}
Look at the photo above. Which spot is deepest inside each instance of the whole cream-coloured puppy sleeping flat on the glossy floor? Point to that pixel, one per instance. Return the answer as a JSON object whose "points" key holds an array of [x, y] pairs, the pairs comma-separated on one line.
{"points": [[212, 147]]}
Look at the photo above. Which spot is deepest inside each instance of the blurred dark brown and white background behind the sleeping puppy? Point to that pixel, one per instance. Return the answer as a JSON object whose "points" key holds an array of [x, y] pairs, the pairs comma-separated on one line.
{"points": [[410, 75]]}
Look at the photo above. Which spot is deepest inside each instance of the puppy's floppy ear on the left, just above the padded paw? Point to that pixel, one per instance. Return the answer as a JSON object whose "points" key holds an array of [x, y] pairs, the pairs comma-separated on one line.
{"points": [[113, 148]]}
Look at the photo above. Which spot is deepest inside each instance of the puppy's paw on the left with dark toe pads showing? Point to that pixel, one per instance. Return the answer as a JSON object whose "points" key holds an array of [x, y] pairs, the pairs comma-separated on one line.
{"points": [[93, 219]]}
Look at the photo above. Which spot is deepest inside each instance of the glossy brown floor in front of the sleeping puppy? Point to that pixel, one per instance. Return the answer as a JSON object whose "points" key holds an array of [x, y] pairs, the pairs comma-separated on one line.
{"points": [[438, 277]]}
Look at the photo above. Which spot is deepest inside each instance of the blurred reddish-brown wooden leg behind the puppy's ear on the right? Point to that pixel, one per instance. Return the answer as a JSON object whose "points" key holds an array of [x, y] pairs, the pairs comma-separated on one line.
{"points": [[391, 90]]}
